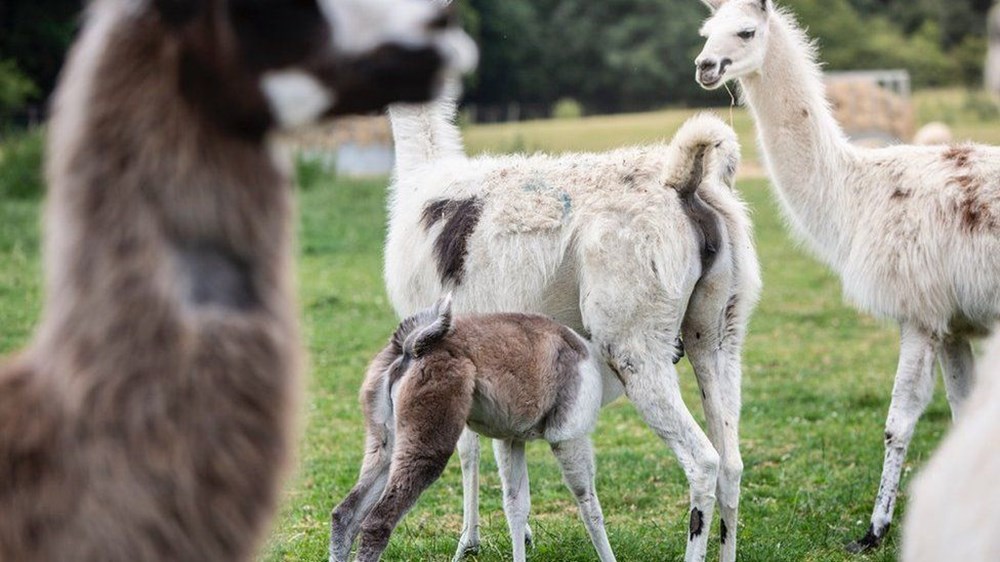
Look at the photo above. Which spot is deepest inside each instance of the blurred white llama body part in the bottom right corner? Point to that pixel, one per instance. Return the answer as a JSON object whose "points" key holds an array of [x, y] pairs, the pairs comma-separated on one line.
{"points": [[953, 512]]}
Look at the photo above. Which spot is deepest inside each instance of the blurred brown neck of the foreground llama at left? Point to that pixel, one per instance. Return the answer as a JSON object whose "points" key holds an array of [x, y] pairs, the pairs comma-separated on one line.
{"points": [[151, 211]]}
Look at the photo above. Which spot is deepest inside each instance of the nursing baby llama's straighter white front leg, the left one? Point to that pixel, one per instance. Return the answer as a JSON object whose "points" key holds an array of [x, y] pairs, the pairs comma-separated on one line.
{"points": [[516, 495]]}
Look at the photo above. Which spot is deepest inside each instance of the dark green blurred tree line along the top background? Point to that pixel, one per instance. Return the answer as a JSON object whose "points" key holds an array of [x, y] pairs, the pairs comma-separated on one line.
{"points": [[609, 56]]}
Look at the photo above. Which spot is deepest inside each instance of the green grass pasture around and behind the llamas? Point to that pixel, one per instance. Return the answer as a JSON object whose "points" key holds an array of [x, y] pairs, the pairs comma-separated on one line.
{"points": [[817, 378]]}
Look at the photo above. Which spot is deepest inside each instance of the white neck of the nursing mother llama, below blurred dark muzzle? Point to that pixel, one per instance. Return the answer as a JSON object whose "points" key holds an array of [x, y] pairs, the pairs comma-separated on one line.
{"points": [[425, 133]]}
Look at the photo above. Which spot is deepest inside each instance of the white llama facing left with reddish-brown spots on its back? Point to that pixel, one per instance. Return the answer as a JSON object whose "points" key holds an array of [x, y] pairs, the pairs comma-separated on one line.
{"points": [[913, 231]]}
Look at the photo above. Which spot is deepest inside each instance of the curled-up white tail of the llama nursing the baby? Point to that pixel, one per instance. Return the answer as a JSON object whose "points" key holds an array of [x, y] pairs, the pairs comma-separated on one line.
{"points": [[705, 148]]}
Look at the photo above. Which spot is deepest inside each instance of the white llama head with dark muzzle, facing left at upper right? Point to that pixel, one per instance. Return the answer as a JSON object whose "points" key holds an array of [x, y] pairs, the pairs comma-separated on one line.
{"points": [[735, 41]]}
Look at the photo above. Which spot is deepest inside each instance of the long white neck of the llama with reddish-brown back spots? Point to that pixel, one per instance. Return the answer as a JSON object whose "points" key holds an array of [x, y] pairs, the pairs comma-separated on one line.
{"points": [[805, 150]]}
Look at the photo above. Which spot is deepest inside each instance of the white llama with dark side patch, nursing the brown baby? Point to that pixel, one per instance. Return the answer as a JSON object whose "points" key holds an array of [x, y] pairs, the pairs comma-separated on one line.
{"points": [[630, 247]]}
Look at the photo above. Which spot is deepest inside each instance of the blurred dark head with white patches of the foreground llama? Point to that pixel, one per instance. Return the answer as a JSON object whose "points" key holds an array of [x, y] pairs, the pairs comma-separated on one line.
{"points": [[296, 61]]}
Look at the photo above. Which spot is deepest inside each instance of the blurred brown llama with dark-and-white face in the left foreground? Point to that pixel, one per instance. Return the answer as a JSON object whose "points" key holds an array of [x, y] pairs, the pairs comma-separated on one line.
{"points": [[152, 417]]}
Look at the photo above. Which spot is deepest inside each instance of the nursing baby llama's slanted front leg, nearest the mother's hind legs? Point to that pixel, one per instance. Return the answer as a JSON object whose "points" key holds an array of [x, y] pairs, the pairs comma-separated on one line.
{"points": [[576, 458]]}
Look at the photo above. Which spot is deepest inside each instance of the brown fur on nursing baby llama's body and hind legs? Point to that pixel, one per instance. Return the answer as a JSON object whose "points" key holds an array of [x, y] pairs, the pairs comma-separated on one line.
{"points": [[526, 364]]}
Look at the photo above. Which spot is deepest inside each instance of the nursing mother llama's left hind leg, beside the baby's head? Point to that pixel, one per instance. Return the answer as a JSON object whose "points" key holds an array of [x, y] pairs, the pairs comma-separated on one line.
{"points": [[651, 384]]}
